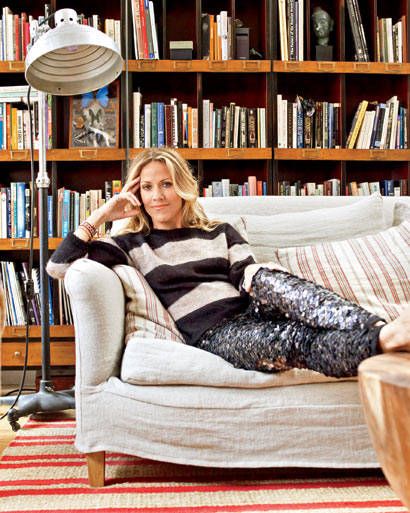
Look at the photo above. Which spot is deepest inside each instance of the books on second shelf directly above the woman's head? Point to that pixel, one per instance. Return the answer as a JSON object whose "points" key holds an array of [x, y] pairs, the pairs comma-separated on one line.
{"points": [[158, 124]]}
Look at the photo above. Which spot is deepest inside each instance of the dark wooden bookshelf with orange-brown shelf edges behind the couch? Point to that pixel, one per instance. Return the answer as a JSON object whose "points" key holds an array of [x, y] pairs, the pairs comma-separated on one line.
{"points": [[251, 83]]}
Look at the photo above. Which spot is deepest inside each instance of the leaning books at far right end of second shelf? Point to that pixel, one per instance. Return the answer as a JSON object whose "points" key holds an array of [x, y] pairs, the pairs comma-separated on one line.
{"points": [[379, 125]]}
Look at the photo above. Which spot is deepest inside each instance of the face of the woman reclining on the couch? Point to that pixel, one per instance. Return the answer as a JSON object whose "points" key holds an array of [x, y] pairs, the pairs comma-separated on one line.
{"points": [[159, 198]]}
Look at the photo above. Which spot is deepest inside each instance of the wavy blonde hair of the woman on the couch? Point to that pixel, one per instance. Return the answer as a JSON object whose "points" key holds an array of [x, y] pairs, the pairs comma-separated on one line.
{"points": [[185, 185]]}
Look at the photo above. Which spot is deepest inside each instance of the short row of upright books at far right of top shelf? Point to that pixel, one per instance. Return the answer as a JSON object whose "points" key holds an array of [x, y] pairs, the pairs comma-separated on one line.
{"points": [[391, 40]]}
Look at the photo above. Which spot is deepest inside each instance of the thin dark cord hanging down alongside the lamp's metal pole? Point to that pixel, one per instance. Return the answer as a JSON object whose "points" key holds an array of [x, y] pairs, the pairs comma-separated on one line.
{"points": [[29, 285]]}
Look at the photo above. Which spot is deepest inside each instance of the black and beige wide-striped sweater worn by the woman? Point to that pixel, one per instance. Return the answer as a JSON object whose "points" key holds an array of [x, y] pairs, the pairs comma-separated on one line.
{"points": [[196, 274]]}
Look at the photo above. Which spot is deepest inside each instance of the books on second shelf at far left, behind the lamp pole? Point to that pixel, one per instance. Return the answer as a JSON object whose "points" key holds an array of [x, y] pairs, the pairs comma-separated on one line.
{"points": [[15, 118]]}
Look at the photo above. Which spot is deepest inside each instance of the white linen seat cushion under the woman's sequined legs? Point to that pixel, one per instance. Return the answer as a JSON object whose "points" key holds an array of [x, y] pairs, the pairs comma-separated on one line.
{"points": [[162, 362]]}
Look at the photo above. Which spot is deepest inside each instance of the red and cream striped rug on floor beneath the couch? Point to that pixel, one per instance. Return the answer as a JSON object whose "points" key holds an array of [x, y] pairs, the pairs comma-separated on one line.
{"points": [[41, 471]]}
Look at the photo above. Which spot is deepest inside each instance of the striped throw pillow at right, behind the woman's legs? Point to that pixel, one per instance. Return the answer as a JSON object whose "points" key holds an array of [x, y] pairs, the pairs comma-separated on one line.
{"points": [[372, 271]]}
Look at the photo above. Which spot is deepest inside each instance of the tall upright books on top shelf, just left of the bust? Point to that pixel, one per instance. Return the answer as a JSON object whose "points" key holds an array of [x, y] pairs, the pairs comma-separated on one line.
{"points": [[291, 29]]}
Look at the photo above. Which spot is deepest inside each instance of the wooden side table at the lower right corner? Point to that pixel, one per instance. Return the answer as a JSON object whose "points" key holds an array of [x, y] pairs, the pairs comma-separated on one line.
{"points": [[385, 391]]}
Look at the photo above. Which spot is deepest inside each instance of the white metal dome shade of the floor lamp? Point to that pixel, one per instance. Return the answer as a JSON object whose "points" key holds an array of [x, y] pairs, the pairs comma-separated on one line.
{"points": [[71, 58]]}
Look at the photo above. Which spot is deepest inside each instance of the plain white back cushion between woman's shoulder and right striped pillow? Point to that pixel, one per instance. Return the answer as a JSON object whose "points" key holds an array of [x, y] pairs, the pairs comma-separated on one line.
{"points": [[325, 224]]}
